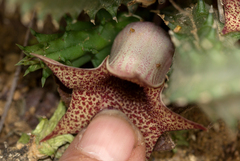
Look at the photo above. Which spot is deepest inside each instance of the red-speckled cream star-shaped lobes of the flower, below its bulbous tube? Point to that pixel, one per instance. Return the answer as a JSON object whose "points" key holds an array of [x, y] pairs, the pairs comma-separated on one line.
{"points": [[96, 89]]}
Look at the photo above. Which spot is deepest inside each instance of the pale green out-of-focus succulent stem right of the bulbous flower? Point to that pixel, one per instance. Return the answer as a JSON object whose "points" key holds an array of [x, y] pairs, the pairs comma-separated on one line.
{"points": [[206, 62]]}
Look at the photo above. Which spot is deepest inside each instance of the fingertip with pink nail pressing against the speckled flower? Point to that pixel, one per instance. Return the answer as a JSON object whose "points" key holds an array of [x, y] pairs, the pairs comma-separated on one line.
{"points": [[109, 137]]}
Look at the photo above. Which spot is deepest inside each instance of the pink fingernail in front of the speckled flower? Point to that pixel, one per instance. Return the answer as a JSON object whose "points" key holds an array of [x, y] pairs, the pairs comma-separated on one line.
{"points": [[108, 138]]}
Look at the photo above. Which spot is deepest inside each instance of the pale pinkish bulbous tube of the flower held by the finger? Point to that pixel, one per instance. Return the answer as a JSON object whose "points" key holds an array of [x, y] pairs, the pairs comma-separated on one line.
{"points": [[141, 53]]}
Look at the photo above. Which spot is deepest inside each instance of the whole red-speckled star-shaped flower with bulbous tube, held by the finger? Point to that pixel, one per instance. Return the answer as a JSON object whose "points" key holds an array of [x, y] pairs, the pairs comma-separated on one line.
{"points": [[131, 80]]}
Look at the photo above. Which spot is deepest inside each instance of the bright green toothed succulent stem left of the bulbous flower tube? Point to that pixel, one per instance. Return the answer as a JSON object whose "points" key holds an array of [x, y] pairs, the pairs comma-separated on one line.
{"points": [[80, 43]]}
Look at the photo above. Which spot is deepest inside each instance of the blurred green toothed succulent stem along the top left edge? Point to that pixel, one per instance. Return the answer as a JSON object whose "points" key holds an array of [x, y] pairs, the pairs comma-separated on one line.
{"points": [[74, 7]]}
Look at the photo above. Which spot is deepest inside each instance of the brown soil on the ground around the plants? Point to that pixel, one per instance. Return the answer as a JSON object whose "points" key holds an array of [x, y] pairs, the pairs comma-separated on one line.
{"points": [[30, 101]]}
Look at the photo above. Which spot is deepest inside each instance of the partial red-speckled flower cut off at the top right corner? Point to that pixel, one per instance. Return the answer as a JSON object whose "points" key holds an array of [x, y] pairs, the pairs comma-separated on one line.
{"points": [[232, 16]]}
